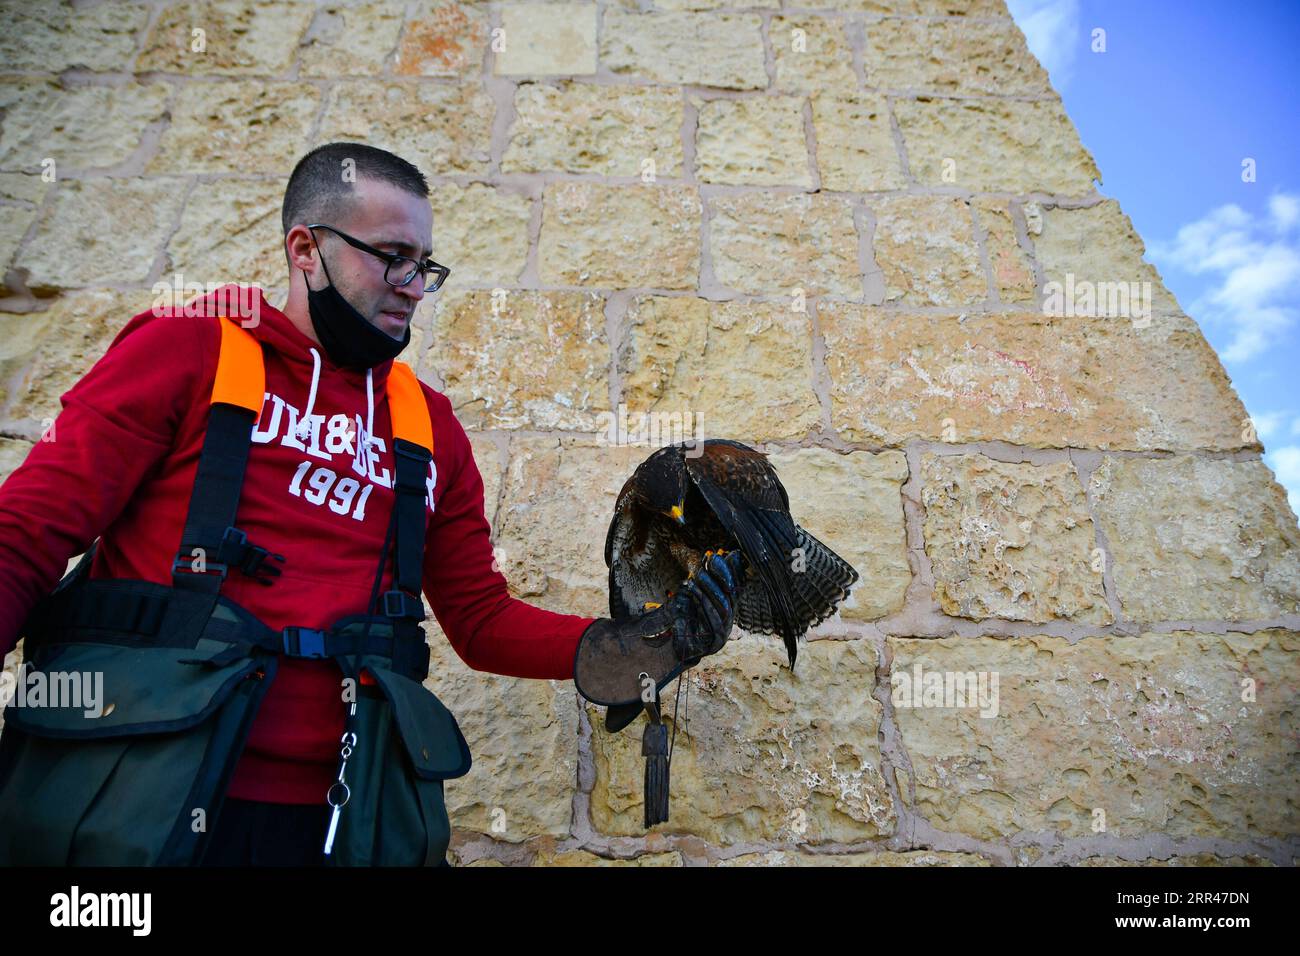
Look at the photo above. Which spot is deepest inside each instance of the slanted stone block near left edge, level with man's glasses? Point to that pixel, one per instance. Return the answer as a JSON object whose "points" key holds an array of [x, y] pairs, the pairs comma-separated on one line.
{"points": [[119, 226]]}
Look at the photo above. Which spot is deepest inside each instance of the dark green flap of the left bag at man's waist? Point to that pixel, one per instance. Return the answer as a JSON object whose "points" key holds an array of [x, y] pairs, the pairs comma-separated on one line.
{"points": [[103, 690]]}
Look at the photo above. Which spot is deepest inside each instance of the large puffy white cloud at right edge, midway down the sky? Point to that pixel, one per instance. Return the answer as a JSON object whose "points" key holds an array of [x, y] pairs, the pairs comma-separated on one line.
{"points": [[1255, 265]]}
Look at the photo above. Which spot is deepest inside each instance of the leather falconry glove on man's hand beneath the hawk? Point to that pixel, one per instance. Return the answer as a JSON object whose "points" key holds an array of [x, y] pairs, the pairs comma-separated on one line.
{"points": [[626, 663]]}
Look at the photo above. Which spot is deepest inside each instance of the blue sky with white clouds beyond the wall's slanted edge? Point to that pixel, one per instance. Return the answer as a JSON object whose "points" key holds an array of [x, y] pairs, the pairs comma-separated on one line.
{"points": [[1181, 97]]}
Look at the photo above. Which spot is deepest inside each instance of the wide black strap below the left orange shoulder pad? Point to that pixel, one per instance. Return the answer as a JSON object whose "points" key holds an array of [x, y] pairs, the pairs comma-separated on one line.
{"points": [[215, 499]]}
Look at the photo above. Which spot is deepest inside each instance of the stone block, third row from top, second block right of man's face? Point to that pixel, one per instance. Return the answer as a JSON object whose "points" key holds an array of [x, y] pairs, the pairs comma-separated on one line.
{"points": [[772, 245]]}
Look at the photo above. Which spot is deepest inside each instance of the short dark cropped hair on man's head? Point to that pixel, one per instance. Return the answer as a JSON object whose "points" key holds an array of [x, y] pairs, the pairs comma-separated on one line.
{"points": [[318, 192]]}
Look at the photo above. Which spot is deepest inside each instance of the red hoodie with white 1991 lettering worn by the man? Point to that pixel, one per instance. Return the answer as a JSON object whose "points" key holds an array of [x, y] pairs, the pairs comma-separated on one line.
{"points": [[122, 466]]}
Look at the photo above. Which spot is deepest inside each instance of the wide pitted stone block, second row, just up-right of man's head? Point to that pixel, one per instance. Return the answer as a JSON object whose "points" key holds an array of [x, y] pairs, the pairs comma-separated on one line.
{"points": [[583, 128]]}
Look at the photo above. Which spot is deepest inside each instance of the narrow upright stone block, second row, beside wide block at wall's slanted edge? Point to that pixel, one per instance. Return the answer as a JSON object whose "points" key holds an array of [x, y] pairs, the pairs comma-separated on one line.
{"points": [[856, 150]]}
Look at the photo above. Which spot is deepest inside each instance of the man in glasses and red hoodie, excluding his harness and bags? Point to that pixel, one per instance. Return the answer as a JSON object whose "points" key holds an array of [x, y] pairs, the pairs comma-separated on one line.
{"points": [[318, 492]]}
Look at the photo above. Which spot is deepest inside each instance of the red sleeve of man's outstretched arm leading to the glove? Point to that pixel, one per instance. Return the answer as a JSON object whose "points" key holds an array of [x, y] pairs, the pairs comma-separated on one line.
{"points": [[489, 630]]}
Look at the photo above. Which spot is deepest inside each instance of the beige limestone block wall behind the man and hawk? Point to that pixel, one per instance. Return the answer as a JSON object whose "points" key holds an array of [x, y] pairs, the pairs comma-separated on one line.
{"points": [[829, 228]]}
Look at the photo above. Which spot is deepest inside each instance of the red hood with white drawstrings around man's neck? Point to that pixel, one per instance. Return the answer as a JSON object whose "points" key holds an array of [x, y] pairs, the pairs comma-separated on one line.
{"points": [[275, 330]]}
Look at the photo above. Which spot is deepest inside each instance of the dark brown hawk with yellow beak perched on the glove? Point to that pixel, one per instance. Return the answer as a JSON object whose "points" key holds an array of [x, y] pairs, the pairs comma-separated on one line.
{"points": [[686, 503]]}
